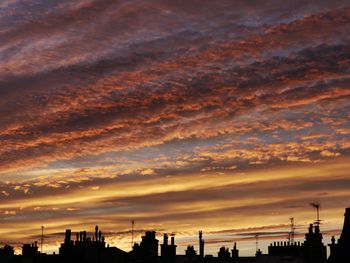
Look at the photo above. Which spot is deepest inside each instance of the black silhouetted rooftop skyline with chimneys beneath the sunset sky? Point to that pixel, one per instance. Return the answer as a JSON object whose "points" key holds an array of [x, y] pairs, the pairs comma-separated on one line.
{"points": [[92, 248]]}
